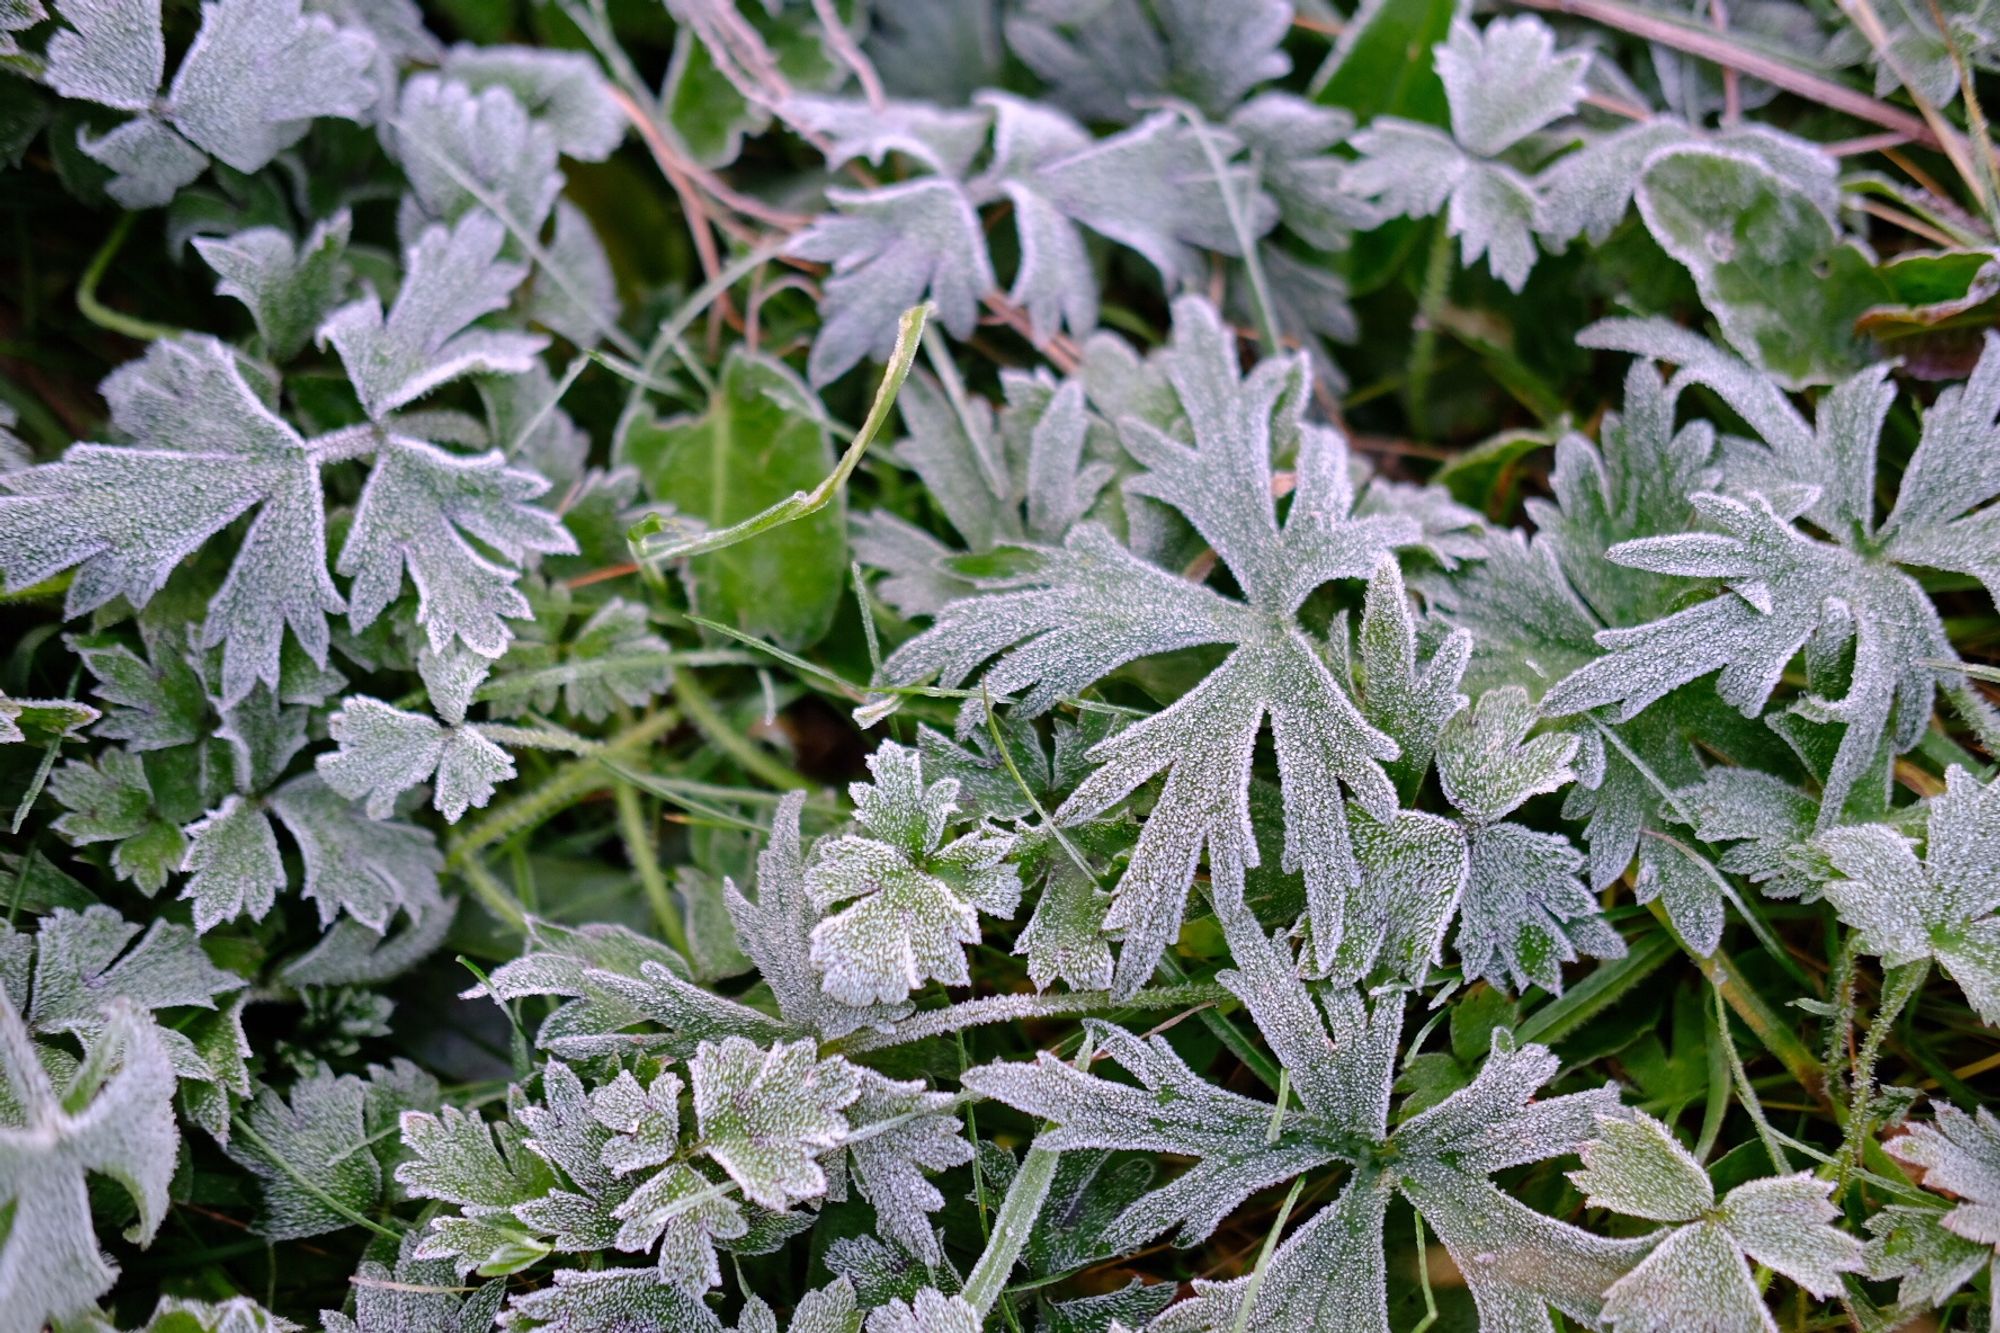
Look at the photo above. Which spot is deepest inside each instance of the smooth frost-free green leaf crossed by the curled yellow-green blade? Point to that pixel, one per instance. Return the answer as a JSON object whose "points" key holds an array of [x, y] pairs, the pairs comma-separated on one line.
{"points": [[763, 439]]}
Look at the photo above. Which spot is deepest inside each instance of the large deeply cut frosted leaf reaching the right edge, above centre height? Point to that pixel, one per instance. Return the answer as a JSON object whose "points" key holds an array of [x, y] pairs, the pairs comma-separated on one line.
{"points": [[1781, 589]]}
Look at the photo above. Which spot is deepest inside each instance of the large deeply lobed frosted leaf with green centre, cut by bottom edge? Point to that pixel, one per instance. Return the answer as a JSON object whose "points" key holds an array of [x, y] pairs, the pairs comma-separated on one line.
{"points": [[1341, 1052]]}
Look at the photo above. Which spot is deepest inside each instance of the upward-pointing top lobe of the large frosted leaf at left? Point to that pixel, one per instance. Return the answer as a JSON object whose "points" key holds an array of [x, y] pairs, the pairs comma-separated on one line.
{"points": [[451, 279]]}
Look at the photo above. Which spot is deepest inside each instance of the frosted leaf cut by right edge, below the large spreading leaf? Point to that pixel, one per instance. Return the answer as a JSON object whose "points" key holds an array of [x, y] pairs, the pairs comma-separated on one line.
{"points": [[1945, 908]]}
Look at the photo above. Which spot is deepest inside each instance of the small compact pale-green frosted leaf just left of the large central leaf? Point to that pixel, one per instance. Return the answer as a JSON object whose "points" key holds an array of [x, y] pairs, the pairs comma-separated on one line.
{"points": [[919, 900]]}
